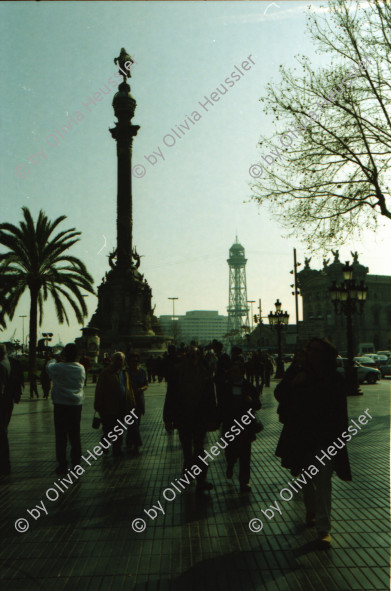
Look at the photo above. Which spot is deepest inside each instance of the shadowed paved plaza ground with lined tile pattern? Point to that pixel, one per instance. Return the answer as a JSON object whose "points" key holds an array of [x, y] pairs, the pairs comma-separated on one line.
{"points": [[86, 540]]}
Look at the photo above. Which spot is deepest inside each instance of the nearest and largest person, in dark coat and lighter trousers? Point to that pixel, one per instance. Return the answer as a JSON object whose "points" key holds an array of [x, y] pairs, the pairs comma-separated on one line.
{"points": [[313, 409]]}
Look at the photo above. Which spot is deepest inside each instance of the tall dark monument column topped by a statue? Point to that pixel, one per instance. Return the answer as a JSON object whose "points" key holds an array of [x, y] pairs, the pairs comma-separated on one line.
{"points": [[124, 318]]}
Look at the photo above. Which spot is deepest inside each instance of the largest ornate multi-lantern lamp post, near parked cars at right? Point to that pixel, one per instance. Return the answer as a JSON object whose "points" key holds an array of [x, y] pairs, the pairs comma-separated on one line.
{"points": [[349, 298]]}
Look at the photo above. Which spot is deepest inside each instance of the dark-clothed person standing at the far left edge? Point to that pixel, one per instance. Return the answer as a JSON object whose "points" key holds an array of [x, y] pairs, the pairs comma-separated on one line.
{"points": [[11, 385]]}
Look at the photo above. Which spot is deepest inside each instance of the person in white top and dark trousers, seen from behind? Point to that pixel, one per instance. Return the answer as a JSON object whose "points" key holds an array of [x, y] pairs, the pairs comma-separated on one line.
{"points": [[68, 395]]}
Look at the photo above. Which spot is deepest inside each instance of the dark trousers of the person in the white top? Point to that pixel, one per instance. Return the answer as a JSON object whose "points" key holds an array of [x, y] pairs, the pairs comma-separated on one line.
{"points": [[67, 425]]}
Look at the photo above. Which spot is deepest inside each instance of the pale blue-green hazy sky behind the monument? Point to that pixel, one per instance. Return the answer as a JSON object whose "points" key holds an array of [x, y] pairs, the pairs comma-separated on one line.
{"points": [[189, 206]]}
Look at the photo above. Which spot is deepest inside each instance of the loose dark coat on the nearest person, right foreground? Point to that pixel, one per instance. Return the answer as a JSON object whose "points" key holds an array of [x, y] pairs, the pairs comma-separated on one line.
{"points": [[314, 414]]}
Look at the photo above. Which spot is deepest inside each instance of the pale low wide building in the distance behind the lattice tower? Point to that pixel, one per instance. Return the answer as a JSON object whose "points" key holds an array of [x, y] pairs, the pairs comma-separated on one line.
{"points": [[198, 325]]}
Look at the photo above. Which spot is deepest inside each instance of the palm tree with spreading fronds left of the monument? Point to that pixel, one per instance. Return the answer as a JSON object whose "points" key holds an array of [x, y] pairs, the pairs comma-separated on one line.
{"points": [[36, 261]]}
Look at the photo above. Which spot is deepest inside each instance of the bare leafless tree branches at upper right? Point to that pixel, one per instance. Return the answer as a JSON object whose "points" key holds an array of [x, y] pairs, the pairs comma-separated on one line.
{"points": [[326, 173]]}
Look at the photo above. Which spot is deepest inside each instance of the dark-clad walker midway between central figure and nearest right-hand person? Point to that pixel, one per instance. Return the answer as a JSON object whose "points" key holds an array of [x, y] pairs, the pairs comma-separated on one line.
{"points": [[236, 397]]}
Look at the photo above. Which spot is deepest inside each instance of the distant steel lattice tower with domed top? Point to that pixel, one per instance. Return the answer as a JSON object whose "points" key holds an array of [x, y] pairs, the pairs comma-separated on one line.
{"points": [[237, 307]]}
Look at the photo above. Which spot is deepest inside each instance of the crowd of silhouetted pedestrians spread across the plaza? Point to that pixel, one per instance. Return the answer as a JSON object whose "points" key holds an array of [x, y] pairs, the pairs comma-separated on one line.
{"points": [[207, 389]]}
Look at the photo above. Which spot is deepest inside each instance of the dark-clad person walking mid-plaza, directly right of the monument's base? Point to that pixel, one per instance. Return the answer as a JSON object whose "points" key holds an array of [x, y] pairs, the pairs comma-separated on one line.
{"points": [[191, 407]]}
